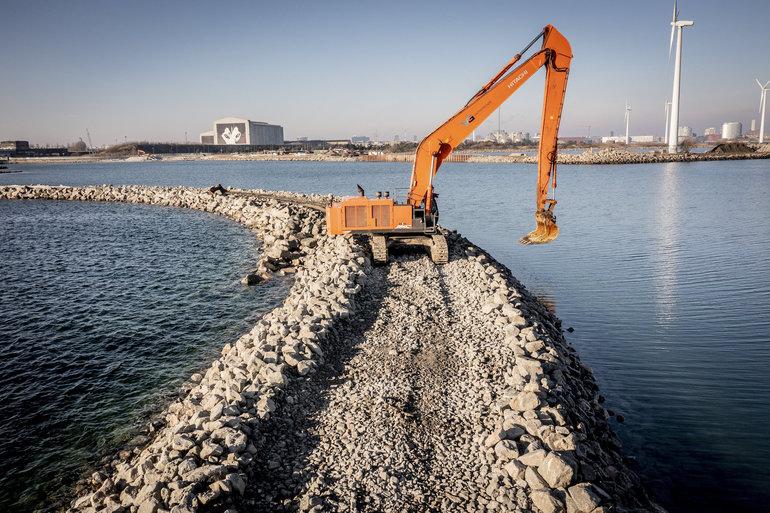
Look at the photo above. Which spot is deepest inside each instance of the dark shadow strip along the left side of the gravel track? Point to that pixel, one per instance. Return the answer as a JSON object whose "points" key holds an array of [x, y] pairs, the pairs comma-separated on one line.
{"points": [[280, 470]]}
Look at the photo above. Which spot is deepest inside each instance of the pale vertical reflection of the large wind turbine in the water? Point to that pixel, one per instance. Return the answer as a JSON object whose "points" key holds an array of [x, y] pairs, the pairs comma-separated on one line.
{"points": [[666, 255]]}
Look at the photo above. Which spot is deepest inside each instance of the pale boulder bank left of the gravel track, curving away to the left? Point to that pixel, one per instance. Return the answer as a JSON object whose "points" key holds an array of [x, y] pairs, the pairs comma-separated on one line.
{"points": [[195, 454]]}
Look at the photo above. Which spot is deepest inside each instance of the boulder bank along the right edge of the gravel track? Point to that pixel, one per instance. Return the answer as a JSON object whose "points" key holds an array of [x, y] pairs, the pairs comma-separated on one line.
{"points": [[546, 431]]}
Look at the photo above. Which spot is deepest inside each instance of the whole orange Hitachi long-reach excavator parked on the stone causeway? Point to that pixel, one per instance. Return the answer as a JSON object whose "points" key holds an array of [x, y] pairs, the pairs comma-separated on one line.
{"points": [[415, 221]]}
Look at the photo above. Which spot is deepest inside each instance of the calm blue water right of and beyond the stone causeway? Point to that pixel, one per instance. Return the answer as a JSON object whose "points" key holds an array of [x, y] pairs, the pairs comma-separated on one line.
{"points": [[663, 271]]}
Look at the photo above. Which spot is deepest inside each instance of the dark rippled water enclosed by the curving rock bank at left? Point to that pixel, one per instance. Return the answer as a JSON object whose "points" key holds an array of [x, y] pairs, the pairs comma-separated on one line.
{"points": [[102, 314]]}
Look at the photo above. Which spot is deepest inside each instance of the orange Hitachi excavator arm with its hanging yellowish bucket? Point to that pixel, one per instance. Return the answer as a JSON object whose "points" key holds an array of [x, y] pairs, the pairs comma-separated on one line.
{"points": [[555, 55]]}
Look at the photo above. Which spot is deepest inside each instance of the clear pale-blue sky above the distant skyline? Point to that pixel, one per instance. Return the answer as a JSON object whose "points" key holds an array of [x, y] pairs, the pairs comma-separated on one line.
{"points": [[153, 70]]}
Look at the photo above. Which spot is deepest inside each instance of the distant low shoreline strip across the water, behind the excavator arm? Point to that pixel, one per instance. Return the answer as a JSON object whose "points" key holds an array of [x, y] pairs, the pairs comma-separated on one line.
{"points": [[604, 156]]}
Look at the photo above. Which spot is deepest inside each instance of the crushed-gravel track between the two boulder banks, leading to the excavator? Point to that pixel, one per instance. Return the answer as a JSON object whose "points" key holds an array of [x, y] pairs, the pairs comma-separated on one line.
{"points": [[389, 423]]}
